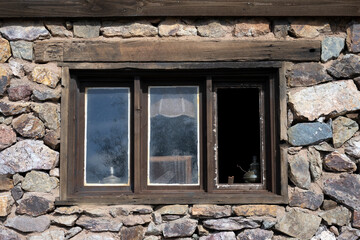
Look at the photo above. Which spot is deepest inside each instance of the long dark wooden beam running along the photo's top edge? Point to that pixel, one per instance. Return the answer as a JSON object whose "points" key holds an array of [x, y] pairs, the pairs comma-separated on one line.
{"points": [[116, 8]]}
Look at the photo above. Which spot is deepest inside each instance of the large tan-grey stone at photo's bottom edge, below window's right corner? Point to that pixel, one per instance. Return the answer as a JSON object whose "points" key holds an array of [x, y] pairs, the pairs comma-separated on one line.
{"points": [[298, 224]]}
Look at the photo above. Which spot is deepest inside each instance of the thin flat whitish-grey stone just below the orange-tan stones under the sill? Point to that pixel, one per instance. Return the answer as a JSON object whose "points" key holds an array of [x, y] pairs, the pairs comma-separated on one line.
{"points": [[230, 224]]}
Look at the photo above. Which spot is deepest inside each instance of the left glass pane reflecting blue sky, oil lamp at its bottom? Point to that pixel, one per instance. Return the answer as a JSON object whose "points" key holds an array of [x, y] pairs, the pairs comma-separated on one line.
{"points": [[107, 136]]}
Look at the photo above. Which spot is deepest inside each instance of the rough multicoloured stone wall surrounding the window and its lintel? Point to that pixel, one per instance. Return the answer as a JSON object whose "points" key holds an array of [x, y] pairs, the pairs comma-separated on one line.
{"points": [[323, 137]]}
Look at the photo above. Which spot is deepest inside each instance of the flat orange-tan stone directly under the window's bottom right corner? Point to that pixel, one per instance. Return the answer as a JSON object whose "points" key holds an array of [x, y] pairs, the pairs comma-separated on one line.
{"points": [[256, 210]]}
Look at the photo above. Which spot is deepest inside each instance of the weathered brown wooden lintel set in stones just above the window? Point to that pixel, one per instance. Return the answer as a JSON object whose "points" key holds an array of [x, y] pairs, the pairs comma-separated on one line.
{"points": [[115, 50]]}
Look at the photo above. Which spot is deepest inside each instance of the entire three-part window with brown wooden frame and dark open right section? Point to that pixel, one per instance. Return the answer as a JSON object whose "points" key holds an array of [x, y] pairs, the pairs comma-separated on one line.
{"points": [[172, 136]]}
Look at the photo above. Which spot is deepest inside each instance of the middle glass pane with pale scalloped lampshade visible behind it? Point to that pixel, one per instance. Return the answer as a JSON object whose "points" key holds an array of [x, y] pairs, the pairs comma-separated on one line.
{"points": [[173, 135]]}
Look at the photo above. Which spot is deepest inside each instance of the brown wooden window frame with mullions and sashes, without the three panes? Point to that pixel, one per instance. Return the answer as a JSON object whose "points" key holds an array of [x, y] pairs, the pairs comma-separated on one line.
{"points": [[73, 192]]}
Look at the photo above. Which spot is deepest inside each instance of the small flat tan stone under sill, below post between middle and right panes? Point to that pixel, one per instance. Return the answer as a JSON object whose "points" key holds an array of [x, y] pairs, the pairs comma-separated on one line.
{"points": [[211, 211]]}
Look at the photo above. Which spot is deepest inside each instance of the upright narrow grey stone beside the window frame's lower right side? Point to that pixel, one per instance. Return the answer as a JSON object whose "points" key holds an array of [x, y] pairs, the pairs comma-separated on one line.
{"points": [[299, 172]]}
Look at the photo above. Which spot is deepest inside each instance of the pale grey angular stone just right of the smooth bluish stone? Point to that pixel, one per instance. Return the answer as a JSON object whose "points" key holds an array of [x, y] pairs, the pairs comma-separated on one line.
{"points": [[343, 129]]}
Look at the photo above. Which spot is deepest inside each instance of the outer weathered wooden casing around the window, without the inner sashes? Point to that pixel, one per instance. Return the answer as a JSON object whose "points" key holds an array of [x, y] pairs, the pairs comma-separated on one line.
{"points": [[68, 196]]}
